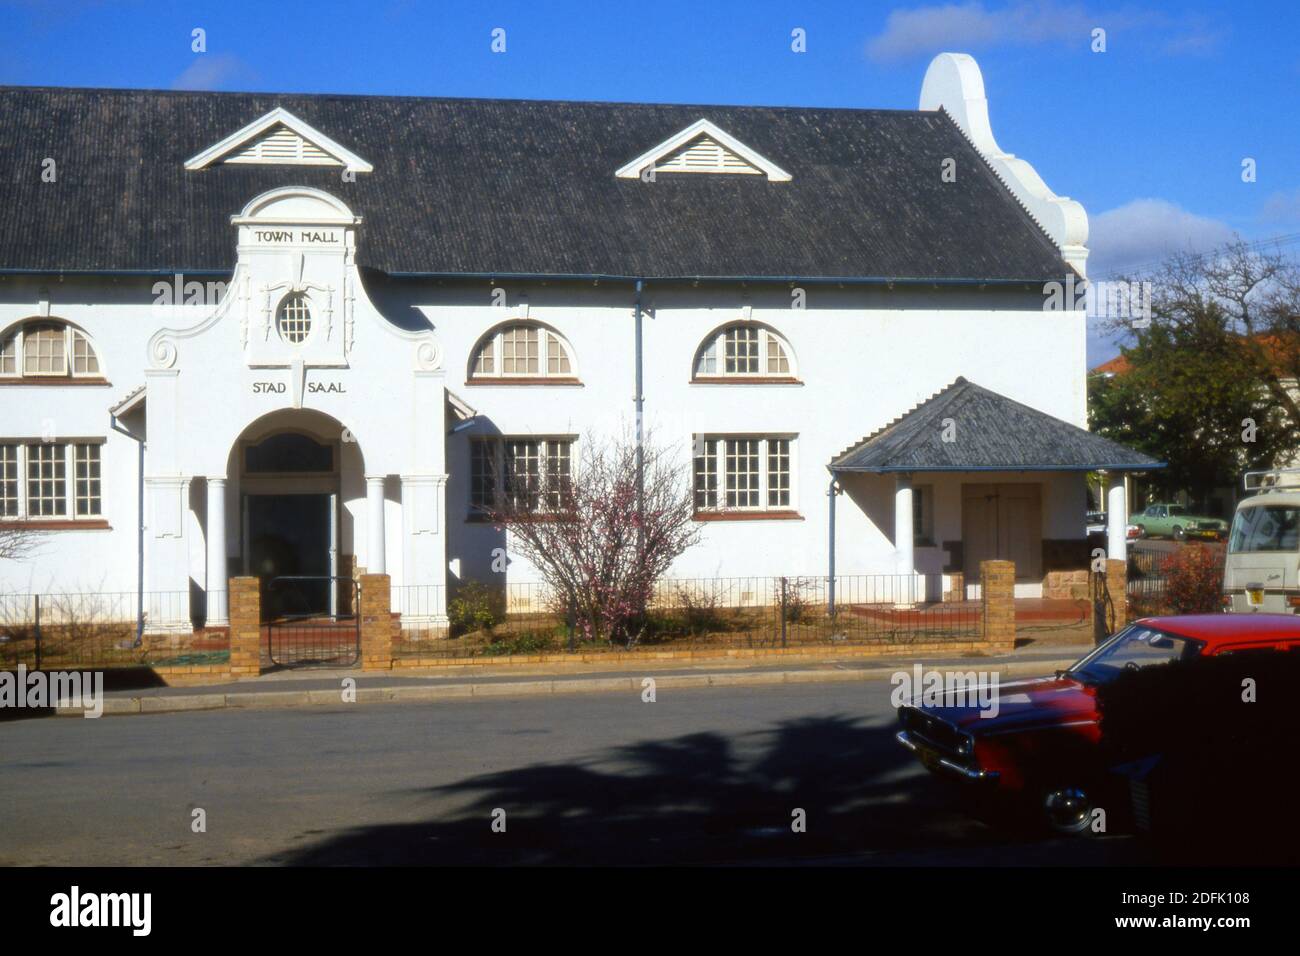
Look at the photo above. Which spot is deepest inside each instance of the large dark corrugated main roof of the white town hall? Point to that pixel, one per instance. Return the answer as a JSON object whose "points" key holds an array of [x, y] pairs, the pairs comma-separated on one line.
{"points": [[522, 188]]}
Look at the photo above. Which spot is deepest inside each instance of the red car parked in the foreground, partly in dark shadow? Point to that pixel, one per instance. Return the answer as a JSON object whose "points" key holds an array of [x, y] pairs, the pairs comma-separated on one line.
{"points": [[1041, 746]]}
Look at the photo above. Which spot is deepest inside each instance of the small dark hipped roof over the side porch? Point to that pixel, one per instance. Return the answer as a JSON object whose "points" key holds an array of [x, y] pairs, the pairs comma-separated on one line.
{"points": [[990, 432]]}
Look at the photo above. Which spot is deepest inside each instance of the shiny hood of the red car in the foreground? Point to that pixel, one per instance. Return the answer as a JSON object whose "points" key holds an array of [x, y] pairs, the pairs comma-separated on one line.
{"points": [[1038, 700]]}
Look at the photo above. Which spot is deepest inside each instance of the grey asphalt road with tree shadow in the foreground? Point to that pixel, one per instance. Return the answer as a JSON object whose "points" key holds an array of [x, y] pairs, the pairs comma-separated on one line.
{"points": [[701, 776]]}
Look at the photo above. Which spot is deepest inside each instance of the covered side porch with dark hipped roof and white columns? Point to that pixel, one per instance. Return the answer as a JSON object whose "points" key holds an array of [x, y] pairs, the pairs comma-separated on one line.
{"points": [[972, 475]]}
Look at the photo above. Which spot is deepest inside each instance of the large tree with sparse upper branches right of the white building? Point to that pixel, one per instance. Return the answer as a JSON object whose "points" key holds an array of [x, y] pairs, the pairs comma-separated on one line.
{"points": [[1212, 380]]}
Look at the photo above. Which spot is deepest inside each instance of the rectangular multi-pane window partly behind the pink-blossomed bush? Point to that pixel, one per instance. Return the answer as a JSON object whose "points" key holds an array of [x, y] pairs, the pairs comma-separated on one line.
{"points": [[525, 474]]}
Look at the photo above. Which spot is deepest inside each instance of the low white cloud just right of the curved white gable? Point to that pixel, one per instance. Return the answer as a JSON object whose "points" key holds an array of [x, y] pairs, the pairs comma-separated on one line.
{"points": [[1142, 233]]}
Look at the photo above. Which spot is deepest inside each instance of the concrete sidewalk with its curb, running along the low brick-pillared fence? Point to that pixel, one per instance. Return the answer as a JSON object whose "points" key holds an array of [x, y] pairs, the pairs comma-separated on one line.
{"points": [[323, 689]]}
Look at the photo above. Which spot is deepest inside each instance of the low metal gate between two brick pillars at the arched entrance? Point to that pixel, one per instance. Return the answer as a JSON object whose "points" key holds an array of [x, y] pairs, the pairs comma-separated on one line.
{"points": [[313, 621]]}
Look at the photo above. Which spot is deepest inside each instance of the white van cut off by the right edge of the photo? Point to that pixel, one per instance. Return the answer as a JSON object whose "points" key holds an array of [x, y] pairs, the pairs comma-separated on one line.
{"points": [[1263, 568]]}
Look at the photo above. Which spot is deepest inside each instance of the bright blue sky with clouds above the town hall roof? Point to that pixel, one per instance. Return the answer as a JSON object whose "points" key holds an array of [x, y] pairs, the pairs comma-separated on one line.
{"points": [[1150, 136]]}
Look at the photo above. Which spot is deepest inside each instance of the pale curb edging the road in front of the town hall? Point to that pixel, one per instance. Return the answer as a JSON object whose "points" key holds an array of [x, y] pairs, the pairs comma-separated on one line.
{"points": [[275, 700]]}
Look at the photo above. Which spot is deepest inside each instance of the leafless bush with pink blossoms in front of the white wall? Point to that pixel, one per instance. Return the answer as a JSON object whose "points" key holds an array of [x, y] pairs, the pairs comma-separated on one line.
{"points": [[596, 547]]}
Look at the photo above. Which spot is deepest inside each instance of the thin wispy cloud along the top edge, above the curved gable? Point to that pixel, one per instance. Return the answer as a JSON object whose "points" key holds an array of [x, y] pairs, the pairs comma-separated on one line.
{"points": [[930, 31]]}
